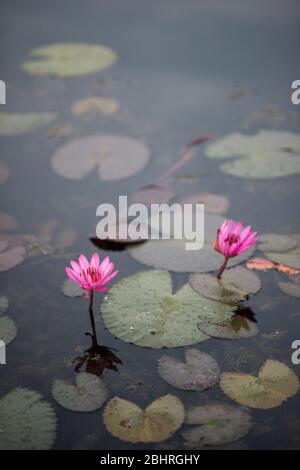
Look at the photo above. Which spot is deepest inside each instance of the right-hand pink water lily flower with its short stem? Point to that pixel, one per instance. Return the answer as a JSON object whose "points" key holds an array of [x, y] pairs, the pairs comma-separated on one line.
{"points": [[233, 239]]}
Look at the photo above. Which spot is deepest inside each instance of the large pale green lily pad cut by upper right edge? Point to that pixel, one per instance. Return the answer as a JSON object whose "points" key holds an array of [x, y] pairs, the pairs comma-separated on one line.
{"points": [[268, 154]]}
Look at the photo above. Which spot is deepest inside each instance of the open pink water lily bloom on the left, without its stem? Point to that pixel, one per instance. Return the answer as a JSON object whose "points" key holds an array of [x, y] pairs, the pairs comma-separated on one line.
{"points": [[91, 275]]}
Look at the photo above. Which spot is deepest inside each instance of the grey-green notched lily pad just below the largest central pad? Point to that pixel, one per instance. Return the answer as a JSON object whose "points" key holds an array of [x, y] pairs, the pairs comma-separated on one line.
{"points": [[199, 372]]}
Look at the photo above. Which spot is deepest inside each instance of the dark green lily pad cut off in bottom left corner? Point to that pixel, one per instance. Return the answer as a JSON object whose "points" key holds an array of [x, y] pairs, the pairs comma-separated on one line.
{"points": [[27, 421]]}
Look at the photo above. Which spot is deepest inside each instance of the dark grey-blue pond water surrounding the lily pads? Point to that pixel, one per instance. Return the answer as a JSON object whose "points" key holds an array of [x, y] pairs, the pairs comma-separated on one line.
{"points": [[184, 69]]}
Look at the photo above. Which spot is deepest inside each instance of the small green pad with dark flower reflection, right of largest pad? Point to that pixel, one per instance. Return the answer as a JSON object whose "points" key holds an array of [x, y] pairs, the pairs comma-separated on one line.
{"points": [[237, 327]]}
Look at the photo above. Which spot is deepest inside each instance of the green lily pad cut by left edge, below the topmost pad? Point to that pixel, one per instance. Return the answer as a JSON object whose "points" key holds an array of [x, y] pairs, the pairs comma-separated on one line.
{"points": [[21, 123]]}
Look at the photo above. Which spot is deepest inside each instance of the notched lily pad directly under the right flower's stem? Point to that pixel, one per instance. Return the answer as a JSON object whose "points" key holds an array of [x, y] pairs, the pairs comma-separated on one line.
{"points": [[235, 285]]}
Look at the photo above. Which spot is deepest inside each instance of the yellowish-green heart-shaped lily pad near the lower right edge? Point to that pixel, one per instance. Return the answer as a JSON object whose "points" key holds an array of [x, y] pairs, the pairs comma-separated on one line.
{"points": [[275, 383]]}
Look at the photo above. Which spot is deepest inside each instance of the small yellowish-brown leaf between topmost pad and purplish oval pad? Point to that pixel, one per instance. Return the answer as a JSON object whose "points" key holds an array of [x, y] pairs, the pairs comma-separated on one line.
{"points": [[95, 104]]}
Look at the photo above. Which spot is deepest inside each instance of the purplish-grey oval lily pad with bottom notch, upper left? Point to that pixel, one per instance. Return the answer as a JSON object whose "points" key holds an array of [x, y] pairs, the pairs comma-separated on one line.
{"points": [[115, 157]]}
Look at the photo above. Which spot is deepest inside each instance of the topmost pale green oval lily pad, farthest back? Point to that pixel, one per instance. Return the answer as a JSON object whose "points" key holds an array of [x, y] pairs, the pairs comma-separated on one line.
{"points": [[69, 59]]}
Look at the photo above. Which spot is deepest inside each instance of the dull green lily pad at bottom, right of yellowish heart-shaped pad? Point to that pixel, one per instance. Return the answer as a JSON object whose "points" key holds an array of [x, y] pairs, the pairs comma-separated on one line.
{"points": [[216, 424]]}
